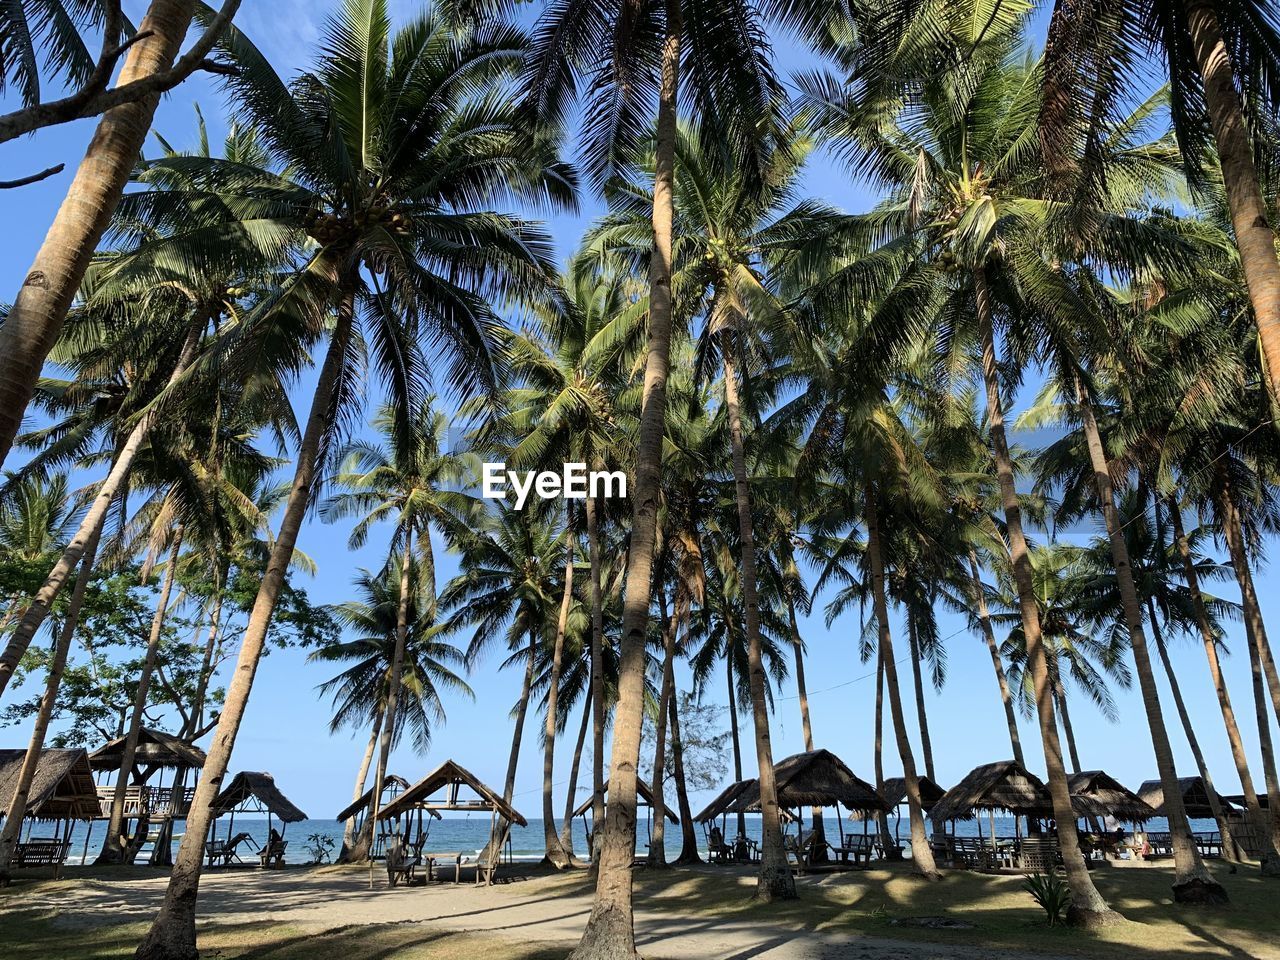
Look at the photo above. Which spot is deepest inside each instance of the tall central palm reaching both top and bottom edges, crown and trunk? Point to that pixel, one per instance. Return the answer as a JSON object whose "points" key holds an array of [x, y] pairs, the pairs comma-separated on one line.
{"points": [[636, 72]]}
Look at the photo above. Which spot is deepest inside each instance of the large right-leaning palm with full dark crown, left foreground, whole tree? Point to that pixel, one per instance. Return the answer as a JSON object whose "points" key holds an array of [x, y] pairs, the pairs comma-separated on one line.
{"points": [[410, 253]]}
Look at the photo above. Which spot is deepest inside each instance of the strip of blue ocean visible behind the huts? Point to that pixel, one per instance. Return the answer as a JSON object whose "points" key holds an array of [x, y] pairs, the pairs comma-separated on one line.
{"points": [[470, 834]]}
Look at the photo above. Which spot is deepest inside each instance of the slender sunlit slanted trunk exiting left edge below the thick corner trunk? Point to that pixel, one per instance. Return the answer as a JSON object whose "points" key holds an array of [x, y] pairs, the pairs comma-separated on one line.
{"points": [[107, 492]]}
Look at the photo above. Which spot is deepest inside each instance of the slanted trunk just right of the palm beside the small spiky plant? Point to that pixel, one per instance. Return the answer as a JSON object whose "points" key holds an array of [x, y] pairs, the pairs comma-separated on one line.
{"points": [[1089, 908]]}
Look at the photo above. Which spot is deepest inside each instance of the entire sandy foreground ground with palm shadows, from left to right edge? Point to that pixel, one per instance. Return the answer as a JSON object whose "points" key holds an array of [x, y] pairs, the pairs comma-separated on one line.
{"points": [[682, 916]]}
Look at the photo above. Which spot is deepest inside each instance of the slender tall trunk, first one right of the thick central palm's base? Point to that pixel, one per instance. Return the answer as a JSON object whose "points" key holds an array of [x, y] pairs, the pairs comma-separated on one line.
{"points": [[776, 881]]}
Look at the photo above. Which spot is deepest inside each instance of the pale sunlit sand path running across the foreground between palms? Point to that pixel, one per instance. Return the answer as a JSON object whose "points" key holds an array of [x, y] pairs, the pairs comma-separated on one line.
{"points": [[545, 911]]}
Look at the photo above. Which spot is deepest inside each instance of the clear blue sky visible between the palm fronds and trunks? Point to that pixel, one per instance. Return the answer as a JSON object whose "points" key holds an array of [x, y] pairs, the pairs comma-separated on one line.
{"points": [[286, 728]]}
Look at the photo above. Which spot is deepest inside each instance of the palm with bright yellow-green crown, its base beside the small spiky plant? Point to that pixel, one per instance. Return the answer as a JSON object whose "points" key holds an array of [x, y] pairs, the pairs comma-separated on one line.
{"points": [[963, 191]]}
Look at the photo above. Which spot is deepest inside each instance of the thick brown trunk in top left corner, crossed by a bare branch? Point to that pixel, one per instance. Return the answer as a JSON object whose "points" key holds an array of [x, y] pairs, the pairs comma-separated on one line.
{"points": [[40, 308]]}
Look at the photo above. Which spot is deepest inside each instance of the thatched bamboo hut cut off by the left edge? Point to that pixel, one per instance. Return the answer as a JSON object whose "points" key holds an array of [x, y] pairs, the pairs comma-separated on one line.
{"points": [[62, 793]]}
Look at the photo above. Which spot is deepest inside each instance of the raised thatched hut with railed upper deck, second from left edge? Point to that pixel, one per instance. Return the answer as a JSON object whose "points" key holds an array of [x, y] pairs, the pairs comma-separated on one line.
{"points": [[145, 802]]}
